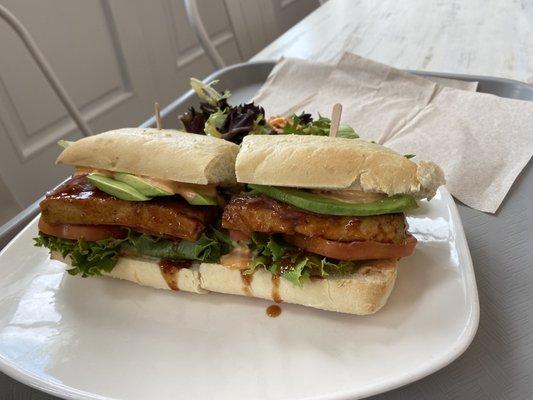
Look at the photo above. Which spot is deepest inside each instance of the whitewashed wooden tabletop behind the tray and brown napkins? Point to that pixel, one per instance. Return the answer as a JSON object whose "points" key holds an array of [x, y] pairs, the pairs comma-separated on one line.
{"points": [[477, 37]]}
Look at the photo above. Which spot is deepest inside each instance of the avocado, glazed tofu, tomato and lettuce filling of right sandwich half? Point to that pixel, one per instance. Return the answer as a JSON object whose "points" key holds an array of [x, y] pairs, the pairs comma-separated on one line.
{"points": [[298, 244]]}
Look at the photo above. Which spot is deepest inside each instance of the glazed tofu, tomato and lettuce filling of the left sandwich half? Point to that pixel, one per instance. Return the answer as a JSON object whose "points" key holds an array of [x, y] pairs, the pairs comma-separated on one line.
{"points": [[95, 228]]}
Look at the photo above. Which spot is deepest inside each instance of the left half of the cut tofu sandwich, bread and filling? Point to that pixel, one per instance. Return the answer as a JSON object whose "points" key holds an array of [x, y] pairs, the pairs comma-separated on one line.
{"points": [[141, 205]]}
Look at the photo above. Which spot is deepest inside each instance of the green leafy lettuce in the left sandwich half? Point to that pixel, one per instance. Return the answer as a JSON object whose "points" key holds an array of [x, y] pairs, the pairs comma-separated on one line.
{"points": [[95, 258]]}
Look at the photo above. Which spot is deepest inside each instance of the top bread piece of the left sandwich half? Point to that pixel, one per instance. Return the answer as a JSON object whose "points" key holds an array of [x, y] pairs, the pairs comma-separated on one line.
{"points": [[163, 154]]}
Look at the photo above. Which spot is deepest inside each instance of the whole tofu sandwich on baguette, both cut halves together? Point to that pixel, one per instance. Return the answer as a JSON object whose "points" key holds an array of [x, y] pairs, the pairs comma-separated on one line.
{"points": [[311, 220]]}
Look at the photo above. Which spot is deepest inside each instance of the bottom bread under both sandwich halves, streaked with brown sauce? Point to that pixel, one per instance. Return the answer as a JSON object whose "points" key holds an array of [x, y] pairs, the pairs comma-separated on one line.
{"points": [[362, 293]]}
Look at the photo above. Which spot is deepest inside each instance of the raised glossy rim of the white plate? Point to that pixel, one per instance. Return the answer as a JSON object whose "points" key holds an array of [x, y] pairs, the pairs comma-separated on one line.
{"points": [[463, 342]]}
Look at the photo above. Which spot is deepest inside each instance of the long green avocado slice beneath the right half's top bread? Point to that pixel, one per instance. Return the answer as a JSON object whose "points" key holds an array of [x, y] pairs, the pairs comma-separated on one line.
{"points": [[324, 205]]}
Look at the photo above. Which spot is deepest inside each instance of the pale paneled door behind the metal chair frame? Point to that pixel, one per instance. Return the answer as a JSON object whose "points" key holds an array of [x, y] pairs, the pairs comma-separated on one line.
{"points": [[115, 59]]}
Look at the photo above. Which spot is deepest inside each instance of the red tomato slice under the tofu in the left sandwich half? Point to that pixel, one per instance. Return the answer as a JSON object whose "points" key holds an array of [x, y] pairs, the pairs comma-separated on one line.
{"points": [[89, 233]]}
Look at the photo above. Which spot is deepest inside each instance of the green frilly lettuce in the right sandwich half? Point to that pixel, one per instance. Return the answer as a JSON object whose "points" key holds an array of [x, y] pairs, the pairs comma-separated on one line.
{"points": [[292, 263]]}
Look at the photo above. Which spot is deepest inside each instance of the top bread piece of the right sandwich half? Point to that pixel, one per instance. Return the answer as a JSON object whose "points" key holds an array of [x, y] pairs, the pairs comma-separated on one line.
{"points": [[324, 162]]}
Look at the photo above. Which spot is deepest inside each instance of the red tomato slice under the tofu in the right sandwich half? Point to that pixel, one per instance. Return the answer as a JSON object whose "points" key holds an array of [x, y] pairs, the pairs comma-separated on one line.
{"points": [[352, 251]]}
